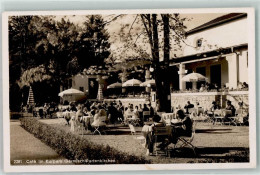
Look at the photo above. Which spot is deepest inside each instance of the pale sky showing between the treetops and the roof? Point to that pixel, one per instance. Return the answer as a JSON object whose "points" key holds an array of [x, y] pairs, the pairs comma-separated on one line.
{"points": [[118, 48]]}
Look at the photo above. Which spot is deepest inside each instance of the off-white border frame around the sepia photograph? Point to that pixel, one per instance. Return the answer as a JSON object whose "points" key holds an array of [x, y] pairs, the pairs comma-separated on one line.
{"points": [[78, 168]]}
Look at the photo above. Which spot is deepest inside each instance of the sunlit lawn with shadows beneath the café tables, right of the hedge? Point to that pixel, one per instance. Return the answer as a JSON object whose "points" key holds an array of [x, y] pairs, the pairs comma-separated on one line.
{"points": [[214, 143]]}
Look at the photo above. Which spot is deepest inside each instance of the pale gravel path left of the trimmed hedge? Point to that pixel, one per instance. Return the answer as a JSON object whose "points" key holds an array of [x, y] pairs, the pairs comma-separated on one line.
{"points": [[27, 150]]}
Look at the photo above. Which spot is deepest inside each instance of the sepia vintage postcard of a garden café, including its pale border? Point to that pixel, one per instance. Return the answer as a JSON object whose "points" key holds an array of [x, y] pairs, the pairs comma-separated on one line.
{"points": [[111, 90]]}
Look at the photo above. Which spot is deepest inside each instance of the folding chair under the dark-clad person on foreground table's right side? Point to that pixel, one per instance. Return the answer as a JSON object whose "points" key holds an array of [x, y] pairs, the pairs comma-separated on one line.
{"points": [[187, 141]]}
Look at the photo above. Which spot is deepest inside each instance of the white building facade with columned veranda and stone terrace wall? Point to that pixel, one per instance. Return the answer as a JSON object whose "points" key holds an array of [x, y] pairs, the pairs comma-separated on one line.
{"points": [[217, 50]]}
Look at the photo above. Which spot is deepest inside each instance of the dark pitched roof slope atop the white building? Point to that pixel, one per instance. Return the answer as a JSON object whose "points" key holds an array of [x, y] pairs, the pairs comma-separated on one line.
{"points": [[217, 21]]}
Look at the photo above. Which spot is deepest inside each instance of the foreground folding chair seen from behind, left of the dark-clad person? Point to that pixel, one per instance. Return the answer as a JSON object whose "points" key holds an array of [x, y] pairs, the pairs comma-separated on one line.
{"points": [[160, 134]]}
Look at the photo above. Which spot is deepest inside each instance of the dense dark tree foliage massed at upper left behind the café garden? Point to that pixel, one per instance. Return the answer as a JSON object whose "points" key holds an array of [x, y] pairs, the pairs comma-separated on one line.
{"points": [[52, 49]]}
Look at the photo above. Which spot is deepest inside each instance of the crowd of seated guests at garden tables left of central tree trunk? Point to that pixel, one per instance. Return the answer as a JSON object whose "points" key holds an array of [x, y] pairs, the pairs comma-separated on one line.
{"points": [[115, 112]]}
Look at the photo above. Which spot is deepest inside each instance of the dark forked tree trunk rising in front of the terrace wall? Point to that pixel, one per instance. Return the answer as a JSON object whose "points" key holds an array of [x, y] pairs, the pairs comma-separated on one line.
{"points": [[160, 72]]}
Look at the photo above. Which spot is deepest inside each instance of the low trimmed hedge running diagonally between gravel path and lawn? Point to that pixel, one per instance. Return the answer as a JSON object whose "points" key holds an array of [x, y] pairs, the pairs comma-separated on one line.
{"points": [[74, 147]]}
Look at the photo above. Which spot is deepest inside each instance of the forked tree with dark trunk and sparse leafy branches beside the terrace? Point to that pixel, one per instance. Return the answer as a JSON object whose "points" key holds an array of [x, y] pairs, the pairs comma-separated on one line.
{"points": [[152, 25]]}
